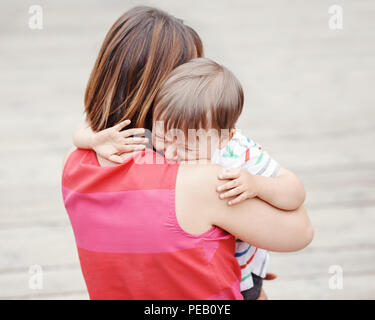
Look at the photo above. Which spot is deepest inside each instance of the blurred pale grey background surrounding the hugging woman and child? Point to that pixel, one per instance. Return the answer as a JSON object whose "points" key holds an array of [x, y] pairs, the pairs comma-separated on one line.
{"points": [[309, 100]]}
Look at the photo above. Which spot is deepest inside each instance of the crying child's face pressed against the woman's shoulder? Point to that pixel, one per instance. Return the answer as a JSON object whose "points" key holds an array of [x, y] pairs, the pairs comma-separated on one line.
{"points": [[178, 146]]}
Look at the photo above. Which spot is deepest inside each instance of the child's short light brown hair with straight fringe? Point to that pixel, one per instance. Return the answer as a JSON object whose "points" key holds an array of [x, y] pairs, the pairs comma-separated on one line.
{"points": [[200, 94]]}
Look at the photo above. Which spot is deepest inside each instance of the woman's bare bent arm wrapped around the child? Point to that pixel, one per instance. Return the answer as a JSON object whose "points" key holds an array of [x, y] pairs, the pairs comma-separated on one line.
{"points": [[253, 221]]}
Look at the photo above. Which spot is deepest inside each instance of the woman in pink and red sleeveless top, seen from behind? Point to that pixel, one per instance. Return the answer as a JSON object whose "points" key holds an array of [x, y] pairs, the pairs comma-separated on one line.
{"points": [[157, 230]]}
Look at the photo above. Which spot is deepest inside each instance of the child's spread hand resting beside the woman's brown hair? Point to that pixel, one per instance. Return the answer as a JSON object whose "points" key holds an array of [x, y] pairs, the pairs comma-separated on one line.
{"points": [[111, 143]]}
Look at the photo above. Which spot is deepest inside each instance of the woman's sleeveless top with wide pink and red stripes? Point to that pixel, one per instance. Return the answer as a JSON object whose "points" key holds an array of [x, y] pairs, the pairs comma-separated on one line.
{"points": [[129, 242]]}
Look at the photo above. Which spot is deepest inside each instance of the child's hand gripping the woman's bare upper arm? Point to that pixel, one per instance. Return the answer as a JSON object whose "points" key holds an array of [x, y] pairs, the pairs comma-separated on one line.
{"points": [[242, 185]]}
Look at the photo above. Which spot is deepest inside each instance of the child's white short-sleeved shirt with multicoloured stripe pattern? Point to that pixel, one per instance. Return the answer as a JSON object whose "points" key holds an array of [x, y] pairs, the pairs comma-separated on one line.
{"points": [[242, 152]]}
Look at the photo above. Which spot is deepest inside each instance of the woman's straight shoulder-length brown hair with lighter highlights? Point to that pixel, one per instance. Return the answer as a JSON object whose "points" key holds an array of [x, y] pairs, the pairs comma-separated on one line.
{"points": [[142, 47]]}
